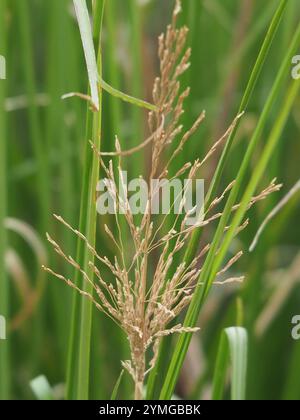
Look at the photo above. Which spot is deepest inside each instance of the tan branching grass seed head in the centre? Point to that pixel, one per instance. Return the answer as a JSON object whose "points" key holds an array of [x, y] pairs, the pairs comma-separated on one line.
{"points": [[142, 298]]}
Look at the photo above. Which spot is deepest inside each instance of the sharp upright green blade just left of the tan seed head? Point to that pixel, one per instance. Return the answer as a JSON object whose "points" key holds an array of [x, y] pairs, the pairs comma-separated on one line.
{"points": [[79, 357]]}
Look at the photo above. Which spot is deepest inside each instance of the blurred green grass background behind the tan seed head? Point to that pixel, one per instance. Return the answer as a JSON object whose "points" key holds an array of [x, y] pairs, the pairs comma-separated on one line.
{"points": [[42, 140]]}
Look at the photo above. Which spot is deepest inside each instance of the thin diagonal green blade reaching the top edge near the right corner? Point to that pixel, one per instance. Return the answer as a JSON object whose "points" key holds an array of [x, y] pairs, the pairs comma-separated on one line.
{"points": [[192, 248]]}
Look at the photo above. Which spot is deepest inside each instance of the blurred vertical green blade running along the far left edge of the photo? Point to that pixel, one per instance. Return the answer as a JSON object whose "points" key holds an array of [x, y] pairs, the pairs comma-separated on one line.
{"points": [[4, 289]]}
